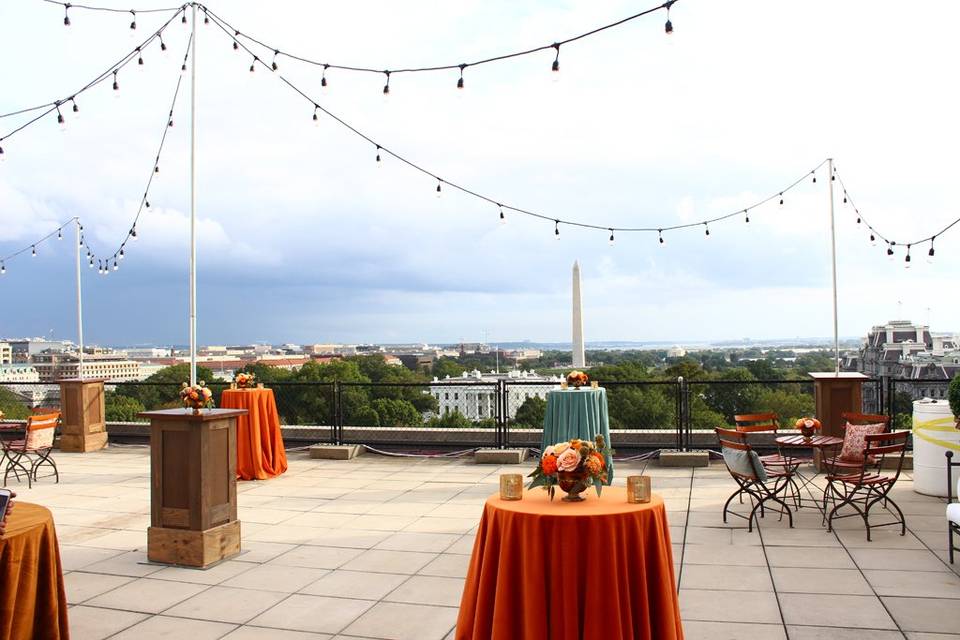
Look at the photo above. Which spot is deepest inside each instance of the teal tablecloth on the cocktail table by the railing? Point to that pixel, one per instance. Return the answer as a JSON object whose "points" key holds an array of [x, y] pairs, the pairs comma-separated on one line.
{"points": [[577, 413]]}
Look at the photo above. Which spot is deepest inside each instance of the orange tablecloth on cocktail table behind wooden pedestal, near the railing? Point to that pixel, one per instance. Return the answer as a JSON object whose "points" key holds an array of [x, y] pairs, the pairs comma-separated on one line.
{"points": [[260, 452]]}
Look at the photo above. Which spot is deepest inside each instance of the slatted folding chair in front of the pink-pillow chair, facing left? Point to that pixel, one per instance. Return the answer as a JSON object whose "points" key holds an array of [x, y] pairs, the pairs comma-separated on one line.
{"points": [[867, 486]]}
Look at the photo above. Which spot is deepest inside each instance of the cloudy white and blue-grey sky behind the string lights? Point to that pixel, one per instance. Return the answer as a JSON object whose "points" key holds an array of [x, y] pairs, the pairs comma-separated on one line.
{"points": [[305, 239]]}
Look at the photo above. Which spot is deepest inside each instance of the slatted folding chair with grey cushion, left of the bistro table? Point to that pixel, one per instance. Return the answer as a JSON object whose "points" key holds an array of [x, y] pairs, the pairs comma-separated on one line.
{"points": [[760, 483]]}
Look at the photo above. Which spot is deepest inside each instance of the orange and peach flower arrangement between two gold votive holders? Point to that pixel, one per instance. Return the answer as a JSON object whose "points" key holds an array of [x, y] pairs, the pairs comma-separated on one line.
{"points": [[573, 465]]}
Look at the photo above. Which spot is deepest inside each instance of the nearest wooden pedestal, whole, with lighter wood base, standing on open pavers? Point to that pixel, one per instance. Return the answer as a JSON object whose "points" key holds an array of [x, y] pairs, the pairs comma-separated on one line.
{"points": [[193, 462]]}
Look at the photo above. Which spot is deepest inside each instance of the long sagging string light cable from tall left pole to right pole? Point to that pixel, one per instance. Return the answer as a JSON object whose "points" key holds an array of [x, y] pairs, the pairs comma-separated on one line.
{"points": [[381, 149]]}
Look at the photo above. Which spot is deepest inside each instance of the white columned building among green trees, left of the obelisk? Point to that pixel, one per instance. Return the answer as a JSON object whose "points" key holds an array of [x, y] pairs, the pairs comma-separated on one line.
{"points": [[474, 394]]}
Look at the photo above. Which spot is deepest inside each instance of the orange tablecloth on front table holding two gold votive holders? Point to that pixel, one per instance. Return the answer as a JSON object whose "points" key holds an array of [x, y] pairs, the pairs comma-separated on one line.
{"points": [[595, 570]]}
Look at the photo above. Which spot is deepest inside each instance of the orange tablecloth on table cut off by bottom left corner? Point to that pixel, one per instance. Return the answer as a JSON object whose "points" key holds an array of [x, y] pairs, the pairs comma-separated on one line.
{"points": [[33, 603]]}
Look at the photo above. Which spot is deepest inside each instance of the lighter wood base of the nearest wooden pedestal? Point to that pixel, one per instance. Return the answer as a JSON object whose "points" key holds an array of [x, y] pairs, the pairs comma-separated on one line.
{"points": [[193, 548]]}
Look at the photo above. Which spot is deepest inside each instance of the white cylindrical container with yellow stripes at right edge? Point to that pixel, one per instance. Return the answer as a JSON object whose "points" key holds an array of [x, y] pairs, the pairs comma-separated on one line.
{"points": [[934, 433]]}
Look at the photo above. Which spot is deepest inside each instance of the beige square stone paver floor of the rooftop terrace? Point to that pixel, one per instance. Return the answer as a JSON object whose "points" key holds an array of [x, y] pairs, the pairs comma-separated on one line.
{"points": [[378, 547]]}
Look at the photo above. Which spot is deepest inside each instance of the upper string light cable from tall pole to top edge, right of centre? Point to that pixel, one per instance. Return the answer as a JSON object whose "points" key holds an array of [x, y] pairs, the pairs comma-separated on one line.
{"points": [[459, 67]]}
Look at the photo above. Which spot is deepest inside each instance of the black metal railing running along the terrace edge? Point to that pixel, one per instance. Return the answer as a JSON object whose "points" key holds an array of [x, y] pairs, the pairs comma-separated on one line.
{"points": [[504, 413]]}
